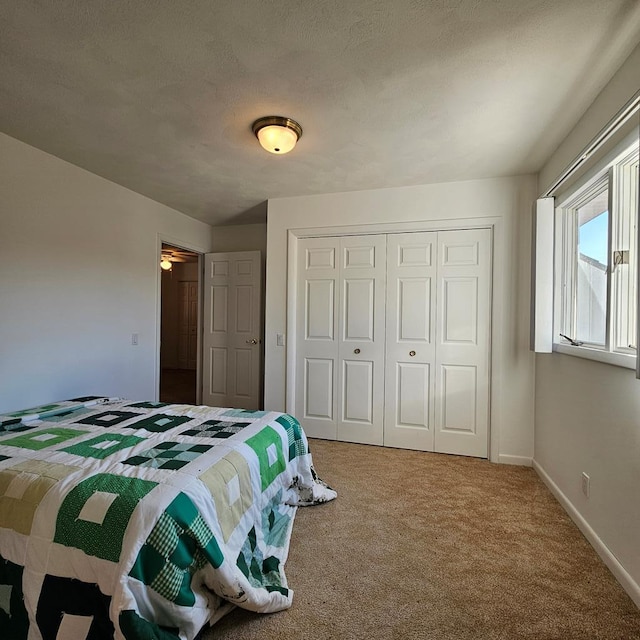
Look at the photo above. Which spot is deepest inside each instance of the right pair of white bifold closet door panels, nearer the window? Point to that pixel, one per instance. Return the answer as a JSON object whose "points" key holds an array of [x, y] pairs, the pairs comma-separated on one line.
{"points": [[438, 341]]}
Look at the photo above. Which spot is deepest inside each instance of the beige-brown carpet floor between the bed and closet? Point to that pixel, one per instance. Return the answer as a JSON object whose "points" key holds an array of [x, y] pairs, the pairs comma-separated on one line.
{"points": [[437, 547]]}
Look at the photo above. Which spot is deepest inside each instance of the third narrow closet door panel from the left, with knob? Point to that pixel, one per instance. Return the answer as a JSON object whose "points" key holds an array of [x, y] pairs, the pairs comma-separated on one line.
{"points": [[410, 343]]}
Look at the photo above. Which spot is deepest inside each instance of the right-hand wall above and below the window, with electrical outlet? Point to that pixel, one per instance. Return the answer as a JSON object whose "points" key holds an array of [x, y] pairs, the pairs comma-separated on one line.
{"points": [[588, 413]]}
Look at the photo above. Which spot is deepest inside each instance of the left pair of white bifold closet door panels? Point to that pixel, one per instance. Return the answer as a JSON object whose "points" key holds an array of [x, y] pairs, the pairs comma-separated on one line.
{"points": [[340, 337]]}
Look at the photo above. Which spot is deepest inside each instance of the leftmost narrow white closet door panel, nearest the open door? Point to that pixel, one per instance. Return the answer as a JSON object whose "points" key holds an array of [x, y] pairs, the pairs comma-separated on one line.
{"points": [[317, 331]]}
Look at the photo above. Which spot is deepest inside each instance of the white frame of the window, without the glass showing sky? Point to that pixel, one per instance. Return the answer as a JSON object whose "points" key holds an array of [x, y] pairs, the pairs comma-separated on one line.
{"points": [[616, 173]]}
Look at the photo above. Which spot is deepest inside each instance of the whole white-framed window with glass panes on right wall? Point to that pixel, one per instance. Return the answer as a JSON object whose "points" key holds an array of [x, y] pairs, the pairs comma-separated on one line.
{"points": [[596, 263]]}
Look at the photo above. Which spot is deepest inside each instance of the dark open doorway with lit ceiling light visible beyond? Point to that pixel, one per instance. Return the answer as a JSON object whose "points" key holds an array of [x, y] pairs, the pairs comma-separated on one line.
{"points": [[179, 314]]}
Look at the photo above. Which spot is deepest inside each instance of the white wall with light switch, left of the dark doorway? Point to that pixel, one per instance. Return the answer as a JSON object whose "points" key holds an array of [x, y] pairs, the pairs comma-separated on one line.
{"points": [[79, 275]]}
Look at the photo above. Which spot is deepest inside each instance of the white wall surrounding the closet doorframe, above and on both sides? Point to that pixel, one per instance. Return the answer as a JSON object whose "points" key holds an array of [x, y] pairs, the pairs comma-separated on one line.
{"points": [[507, 199]]}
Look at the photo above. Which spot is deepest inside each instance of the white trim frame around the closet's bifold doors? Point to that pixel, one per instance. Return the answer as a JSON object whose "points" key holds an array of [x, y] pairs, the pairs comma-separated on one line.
{"points": [[498, 299]]}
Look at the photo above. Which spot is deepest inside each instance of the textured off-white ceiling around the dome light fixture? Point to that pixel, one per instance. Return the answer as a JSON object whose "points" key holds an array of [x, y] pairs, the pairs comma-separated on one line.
{"points": [[159, 96]]}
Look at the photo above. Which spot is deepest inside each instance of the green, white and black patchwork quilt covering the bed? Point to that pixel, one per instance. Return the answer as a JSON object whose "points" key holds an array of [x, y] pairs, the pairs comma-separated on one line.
{"points": [[134, 520]]}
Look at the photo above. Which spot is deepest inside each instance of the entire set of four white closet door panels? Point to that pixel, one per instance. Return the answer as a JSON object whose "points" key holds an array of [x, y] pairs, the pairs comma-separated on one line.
{"points": [[393, 339]]}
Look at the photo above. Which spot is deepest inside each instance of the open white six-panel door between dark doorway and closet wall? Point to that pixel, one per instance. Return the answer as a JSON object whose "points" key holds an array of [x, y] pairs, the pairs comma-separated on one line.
{"points": [[232, 330]]}
